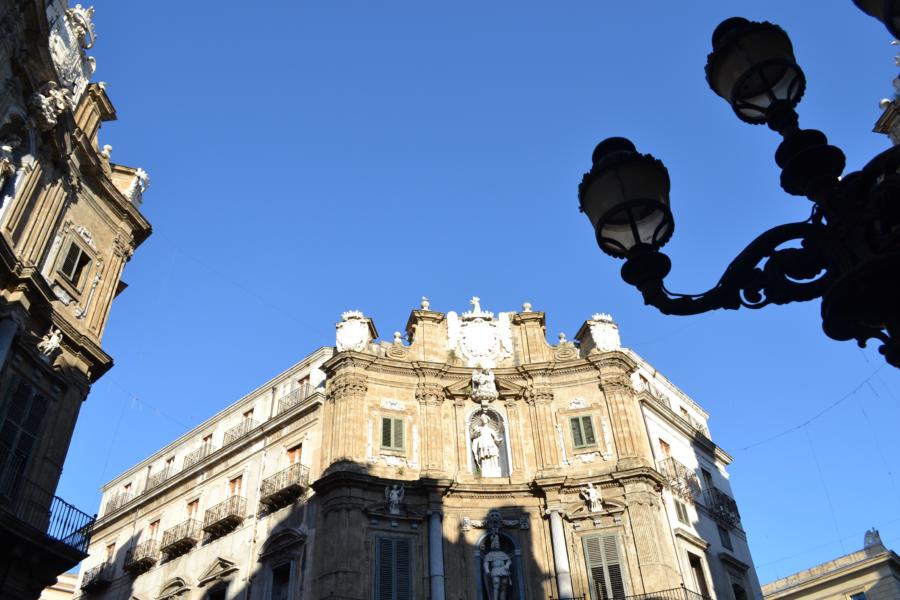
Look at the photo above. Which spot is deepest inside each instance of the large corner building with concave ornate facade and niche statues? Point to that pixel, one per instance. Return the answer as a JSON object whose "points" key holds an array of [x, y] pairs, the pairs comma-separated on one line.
{"points": [[467, 459]]}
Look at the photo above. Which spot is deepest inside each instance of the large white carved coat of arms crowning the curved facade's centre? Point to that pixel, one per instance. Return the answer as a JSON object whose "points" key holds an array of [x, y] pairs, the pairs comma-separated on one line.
{"points": [[478, 337]]}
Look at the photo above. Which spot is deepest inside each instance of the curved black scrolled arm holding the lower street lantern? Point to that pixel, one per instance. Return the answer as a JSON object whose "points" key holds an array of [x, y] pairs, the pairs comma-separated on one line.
{"points": [[763, 273]]}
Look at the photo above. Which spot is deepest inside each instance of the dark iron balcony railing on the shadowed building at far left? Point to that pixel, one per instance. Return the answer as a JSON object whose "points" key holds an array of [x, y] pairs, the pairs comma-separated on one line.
{"points": [[41, 510]]}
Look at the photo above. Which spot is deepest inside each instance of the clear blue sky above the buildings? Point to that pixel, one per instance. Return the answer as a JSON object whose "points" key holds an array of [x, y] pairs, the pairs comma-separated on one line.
{"points": [[311, 157]]}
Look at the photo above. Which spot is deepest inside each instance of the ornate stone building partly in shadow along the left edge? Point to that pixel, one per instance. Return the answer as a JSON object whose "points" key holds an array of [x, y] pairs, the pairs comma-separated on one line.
{"points": [[69, 221]]}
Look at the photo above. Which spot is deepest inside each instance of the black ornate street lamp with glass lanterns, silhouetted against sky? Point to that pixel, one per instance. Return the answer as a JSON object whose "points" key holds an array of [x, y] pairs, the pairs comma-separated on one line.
{"points": [[847, 252]]}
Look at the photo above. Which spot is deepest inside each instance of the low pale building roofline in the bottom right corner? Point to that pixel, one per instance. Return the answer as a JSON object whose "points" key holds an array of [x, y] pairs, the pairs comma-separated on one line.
{"points": [[872, 573]]}
